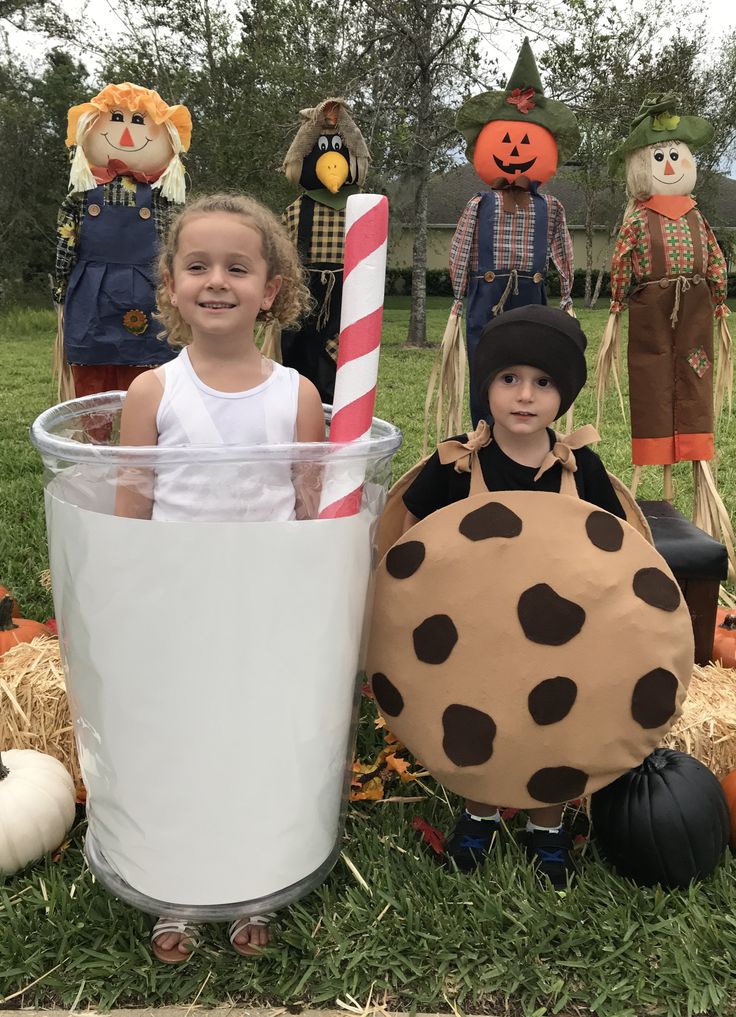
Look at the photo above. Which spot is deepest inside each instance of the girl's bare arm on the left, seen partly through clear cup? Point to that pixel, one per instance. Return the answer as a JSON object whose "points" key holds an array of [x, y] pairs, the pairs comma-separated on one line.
{"points": [[135, 497]]}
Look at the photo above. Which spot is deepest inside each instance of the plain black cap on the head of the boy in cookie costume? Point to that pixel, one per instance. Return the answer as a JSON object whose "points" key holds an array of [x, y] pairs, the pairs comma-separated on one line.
{"points": [[536, 336]]}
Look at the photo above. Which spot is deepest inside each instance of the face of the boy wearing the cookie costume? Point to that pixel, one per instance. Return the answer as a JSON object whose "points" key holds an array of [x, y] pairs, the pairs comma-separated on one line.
{"points": [[524, 400]]}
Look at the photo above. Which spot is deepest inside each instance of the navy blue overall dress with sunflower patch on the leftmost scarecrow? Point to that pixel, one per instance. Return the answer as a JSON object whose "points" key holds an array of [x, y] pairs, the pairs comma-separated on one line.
{"points": [[113, 276]]}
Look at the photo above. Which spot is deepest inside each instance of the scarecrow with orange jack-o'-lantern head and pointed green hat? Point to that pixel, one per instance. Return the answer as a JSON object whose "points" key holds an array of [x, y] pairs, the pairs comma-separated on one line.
{"points": [[516, 140]]}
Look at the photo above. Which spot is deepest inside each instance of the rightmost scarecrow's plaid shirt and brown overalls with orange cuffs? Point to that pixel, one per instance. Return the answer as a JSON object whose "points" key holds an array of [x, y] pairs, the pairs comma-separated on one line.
{"points": [[680, 275]]}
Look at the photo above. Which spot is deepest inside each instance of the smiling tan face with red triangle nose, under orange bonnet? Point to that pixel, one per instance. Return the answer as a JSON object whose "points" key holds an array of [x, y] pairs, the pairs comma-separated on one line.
{"points": [[133, 138]]}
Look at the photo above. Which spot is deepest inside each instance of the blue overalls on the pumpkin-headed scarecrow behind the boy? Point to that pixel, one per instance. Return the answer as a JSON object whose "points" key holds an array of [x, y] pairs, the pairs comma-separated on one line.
{"points": [[487, 286]]}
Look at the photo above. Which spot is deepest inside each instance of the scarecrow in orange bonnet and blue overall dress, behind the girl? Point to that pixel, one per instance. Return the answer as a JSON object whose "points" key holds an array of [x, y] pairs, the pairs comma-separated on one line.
{"points": [[126, 183]]}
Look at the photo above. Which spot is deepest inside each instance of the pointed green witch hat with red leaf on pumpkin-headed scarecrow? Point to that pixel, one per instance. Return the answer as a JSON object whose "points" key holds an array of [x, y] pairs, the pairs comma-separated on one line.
{"points": [[523, 100]]}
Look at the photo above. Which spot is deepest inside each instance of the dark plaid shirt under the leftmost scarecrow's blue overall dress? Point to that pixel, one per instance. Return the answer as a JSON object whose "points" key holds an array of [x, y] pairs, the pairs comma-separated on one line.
{"points": [[119, 192]]}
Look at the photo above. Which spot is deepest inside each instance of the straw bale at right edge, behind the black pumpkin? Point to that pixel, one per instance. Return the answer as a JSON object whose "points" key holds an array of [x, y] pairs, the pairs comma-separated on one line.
{"points": [[707, 729]]}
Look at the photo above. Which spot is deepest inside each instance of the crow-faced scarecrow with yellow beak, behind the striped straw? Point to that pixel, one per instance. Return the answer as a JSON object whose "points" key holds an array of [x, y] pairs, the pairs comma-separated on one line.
{"points": [[329, 158]]}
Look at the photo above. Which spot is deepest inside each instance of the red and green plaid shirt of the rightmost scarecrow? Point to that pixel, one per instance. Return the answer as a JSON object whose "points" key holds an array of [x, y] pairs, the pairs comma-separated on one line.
{"points": [[633, 257]]}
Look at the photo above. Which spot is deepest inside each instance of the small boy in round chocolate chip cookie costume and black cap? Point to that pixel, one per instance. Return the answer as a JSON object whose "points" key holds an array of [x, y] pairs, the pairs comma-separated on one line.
{"points": [[488, 654]]}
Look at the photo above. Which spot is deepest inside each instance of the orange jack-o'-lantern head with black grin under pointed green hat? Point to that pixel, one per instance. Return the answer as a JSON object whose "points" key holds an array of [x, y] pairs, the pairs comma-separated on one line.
{"points": [[512, 150]]}
